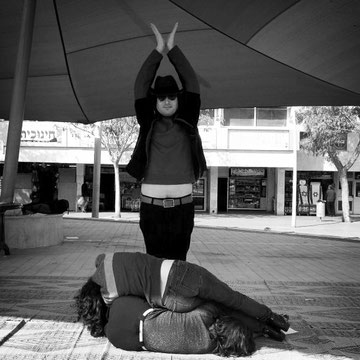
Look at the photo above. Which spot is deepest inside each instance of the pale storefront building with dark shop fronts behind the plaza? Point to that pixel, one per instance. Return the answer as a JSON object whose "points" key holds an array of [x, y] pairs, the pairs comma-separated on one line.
{"points": [[249, 152]]}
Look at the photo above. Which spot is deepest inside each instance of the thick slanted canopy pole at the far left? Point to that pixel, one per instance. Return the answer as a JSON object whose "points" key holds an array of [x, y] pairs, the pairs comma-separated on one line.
{"points": [[18, 101]]}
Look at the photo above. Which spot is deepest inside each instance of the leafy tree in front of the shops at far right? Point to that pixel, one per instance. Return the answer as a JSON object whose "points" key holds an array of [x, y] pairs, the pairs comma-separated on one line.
{"points": [[327, 128]]}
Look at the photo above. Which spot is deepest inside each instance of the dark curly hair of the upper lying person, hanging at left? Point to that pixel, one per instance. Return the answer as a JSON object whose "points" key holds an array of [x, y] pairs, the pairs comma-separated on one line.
{"points": [[91, 308]]}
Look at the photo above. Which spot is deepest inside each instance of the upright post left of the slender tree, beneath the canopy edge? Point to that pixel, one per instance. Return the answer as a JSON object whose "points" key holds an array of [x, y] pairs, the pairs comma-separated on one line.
{"points": [[96, 173]]}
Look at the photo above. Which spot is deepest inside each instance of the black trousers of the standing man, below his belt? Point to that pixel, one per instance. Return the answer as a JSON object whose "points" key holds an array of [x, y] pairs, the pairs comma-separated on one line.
{"points": [[167, 231]]}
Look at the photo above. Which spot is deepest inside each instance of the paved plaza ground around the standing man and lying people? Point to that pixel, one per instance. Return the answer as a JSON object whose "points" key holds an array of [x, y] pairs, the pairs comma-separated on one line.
{"points": [[315, 278]]}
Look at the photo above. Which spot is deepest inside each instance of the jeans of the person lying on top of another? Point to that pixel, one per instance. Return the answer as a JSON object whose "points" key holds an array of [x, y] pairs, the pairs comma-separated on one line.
{"points": [[189, 285]]}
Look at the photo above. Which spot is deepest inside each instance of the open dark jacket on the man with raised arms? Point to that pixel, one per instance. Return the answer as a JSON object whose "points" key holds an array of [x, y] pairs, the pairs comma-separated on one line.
{"points": [[187, 114]]}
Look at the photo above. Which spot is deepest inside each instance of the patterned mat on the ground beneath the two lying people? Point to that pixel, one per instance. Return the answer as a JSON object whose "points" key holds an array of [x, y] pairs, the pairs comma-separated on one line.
{"points": [[37, 321]]}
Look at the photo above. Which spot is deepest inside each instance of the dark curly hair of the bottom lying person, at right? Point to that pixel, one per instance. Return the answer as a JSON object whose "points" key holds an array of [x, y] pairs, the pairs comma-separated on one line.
{"points": [[232, 337]]}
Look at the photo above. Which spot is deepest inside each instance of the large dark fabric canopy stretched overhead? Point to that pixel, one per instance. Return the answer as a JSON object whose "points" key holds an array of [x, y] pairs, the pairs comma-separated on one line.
{"points": [[86, 53]]}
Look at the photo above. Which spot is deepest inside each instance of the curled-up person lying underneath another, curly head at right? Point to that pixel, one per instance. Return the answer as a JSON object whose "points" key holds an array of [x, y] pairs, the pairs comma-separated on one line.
{"points": [[132, 325]]}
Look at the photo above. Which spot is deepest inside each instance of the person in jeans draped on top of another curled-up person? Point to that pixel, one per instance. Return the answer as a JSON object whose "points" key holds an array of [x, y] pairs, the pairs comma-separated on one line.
{"points": [[175, 285]]}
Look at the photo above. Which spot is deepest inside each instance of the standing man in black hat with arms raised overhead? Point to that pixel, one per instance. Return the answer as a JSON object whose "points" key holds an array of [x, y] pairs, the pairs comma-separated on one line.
{"points": [[168, 156]]}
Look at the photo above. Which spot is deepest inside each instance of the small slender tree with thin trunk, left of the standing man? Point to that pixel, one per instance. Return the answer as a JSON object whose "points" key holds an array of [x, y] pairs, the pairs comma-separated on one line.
{"points": [[117, 136]]}
